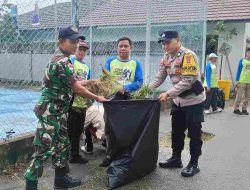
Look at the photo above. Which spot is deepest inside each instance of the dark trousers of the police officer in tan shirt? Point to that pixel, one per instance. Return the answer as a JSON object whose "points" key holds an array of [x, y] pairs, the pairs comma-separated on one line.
{"points": [[190, 118]]}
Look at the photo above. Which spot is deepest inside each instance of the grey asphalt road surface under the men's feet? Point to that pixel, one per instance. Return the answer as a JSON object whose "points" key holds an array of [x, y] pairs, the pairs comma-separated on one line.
{"points": [[224, 164]]}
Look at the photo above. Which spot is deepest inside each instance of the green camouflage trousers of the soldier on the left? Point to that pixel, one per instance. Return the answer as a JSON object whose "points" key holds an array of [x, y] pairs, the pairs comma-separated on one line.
{"points": [[51, 140]]}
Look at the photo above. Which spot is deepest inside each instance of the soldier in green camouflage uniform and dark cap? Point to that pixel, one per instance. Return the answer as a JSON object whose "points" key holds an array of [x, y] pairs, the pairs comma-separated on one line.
{"points": [[51, 137]]}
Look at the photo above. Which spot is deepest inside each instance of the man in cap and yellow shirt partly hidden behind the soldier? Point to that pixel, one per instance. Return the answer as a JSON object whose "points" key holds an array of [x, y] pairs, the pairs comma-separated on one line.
{"points": [[77, 111]]}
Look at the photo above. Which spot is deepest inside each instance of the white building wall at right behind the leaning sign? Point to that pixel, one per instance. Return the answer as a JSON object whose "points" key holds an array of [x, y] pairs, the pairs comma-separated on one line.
{"points": [[238, 47]]}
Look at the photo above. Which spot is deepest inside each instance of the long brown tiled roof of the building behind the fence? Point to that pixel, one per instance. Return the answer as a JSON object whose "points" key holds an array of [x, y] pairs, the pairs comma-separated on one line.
{"points": [[130, 12]]}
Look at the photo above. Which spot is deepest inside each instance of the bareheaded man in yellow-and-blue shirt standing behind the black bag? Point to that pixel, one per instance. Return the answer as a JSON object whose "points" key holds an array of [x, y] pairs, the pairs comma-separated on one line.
{"points": [[128, 71]]}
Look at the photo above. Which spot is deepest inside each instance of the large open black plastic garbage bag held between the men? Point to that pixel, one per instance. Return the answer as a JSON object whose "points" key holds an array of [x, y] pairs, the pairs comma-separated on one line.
{"points": [[133, 126]]}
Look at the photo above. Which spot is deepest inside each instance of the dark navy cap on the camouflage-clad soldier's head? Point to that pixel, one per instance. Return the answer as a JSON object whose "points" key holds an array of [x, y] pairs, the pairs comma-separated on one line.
{"points": [[70, 32]]}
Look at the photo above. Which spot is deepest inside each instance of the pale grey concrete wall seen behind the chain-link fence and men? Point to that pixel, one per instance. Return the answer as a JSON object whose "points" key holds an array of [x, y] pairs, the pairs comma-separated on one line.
{"points": [[30, 67]]}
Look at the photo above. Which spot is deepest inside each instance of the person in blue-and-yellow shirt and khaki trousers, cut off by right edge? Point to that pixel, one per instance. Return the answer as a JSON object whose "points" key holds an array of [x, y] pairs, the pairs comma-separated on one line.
{"points": [[243, 85]]}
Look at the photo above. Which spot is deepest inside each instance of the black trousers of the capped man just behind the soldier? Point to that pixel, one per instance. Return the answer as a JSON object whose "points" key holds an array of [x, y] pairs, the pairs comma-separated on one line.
{"points": [[76, 120]]}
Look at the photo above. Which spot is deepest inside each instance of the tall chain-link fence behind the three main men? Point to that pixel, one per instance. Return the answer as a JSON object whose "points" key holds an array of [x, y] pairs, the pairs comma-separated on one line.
{"points": [[28, 37]]}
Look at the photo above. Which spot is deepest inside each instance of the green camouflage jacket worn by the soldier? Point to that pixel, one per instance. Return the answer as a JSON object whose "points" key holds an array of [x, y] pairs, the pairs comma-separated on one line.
{"points": [[56, 91]]}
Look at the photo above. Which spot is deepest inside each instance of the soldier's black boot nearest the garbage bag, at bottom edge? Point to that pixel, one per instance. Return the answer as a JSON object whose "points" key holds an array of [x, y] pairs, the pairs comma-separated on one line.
{"points": [[65, 181]]}
